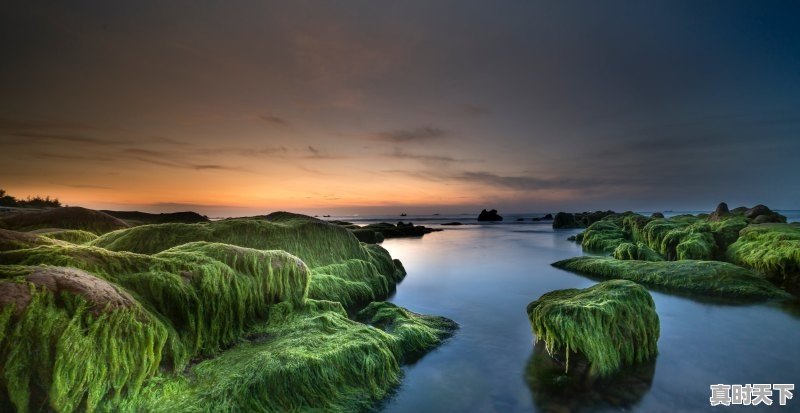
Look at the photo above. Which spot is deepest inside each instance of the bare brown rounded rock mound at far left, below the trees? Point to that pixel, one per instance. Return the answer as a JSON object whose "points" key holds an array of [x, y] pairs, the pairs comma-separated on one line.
{"points": [[65, 217]]}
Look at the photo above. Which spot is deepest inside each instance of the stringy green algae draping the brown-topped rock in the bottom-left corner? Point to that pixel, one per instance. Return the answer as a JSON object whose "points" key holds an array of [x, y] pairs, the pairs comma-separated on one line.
{"points": [[62, 353]]}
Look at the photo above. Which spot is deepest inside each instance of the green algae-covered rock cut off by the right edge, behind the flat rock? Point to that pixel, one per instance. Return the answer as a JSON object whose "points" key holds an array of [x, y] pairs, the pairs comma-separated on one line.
{"points": [[772, 249]]}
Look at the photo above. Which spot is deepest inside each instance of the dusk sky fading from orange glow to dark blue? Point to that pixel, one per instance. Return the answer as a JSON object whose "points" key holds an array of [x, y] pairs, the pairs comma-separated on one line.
{"points": [[241, 107]]}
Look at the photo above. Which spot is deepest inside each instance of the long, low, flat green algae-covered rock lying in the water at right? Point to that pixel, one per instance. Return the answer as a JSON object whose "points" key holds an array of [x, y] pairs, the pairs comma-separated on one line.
{"points": [[711, 278]]}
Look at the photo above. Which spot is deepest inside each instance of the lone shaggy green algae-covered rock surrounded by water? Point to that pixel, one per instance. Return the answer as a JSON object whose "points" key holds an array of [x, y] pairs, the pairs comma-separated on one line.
{"points": [[611, 324]]}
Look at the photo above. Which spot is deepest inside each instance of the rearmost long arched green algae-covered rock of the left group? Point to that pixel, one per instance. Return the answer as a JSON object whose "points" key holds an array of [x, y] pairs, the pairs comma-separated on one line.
{"points": [[342, 268]]}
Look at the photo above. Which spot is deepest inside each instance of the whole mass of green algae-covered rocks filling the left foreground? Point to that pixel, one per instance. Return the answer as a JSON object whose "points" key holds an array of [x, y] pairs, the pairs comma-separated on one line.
{"points": [[203, 326]]}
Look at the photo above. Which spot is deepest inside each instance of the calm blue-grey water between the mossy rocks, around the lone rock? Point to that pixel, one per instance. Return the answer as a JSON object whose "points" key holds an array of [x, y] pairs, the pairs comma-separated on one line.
{"points": [[483, 276]]}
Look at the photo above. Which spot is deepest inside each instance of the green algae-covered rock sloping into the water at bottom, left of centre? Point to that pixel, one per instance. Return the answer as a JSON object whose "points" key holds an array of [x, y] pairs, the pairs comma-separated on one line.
{"points": [[308, 359]]}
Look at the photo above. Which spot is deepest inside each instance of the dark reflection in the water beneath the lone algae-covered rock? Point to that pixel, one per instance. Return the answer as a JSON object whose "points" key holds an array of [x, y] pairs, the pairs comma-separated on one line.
{"points": [[553, 390]]}
